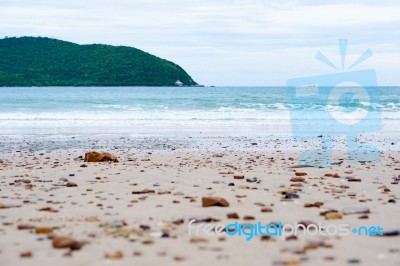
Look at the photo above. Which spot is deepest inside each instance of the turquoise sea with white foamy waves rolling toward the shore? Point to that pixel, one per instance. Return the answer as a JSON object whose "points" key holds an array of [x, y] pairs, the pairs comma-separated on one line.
{"points": [[164, 111]]}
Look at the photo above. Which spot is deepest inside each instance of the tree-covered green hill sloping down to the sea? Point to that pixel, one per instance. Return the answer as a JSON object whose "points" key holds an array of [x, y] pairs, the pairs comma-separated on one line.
{"points": [[30, 61]]}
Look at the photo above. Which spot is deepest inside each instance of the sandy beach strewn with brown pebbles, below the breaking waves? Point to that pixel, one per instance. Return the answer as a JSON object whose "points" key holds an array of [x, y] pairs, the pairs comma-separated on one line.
{"points": [[58, 209]]}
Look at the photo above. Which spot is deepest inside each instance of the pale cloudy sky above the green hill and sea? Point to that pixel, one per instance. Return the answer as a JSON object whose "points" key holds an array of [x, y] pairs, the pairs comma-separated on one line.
{"points": [[226, 42]]}
